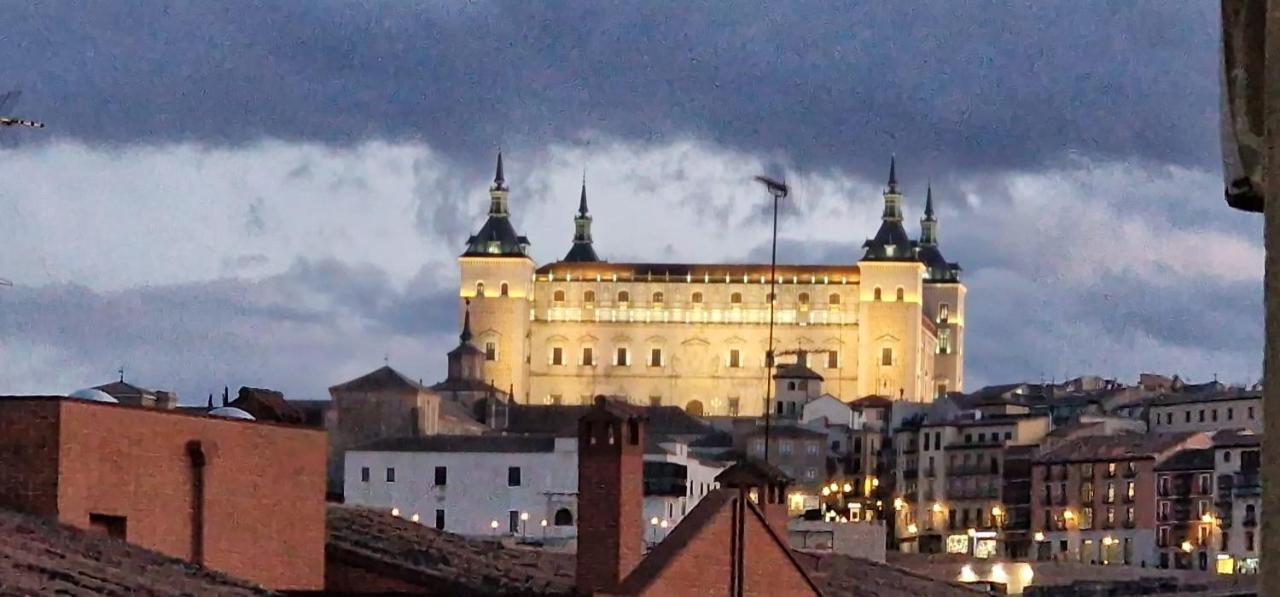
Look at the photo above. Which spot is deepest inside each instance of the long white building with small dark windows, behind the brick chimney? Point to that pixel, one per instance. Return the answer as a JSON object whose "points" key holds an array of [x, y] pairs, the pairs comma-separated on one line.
{"points": [[510, 486]]}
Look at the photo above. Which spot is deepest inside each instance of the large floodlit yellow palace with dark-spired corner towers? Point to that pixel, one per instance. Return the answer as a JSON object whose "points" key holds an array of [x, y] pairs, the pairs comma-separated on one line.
{"points": [[696, 335]]}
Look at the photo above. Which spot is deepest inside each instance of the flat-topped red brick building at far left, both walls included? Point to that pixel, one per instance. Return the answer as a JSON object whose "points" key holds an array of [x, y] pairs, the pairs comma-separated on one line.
{"points": [[227, 495]]}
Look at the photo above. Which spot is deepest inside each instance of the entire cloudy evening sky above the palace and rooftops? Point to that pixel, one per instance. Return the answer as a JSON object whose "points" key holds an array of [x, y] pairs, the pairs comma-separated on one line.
{"points": [[275, 194]]}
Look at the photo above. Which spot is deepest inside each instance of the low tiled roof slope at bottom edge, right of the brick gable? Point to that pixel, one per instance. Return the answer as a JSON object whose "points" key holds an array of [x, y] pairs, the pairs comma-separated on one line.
{"points": [[845, 576]]}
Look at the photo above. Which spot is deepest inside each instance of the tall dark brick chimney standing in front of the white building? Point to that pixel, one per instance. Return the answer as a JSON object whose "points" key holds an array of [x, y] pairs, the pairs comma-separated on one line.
{"points": [[610, 495]]}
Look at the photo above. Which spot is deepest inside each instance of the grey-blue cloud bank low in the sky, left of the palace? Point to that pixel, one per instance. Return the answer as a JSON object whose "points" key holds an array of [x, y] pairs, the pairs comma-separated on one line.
{"points": [[294, 332]]}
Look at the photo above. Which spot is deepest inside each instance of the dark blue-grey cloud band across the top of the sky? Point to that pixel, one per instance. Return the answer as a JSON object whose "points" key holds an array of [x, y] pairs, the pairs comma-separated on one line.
{"points": [[968, 85]]}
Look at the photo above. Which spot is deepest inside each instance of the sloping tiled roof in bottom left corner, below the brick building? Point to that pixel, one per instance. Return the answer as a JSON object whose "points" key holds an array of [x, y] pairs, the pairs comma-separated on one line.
{"points": [[39, 557]]}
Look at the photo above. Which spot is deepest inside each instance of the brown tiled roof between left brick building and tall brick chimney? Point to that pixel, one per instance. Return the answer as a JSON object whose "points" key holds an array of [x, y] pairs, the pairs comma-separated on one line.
{"points": [[444, 563]]}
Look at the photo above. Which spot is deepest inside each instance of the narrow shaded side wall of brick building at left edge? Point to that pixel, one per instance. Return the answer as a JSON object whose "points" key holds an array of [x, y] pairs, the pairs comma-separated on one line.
{"points": [[29, 457]]}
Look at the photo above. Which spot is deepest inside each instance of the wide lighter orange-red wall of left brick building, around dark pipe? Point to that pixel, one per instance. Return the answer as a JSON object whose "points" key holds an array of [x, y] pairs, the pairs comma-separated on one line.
{"points": [[264, 513]]}
